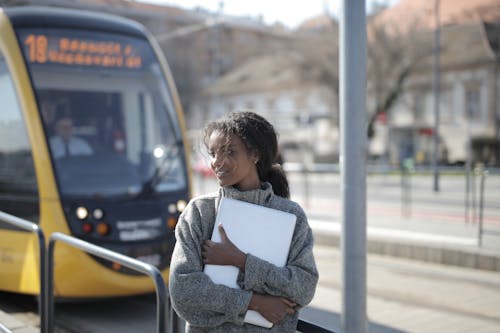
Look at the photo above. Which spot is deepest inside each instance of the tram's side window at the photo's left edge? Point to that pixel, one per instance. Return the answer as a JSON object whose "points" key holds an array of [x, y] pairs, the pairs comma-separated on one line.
{"points": [[18, 186]]}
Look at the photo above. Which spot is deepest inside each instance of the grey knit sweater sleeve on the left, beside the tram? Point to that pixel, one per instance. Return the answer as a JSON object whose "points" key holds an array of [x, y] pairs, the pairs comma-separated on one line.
{"points": [[194, 296]]}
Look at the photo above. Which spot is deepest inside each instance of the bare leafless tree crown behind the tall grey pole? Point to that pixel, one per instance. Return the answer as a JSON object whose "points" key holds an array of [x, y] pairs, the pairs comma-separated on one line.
{"points": [[393, 56]]}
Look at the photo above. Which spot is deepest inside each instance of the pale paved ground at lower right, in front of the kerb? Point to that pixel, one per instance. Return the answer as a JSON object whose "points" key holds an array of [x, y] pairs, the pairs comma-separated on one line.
{"points": [[410, 296]]}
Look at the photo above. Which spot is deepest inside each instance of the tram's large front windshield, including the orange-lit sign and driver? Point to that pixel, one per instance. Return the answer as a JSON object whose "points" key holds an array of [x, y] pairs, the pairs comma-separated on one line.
{"points": [[109, 118]]}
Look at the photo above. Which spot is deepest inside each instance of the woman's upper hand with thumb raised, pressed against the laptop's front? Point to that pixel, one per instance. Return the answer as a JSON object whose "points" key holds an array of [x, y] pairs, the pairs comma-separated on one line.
{"points": [[223, 253]]}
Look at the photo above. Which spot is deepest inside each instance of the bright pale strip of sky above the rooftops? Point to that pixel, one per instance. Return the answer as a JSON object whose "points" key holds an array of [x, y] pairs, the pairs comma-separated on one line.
{"points": [[290, 13]]}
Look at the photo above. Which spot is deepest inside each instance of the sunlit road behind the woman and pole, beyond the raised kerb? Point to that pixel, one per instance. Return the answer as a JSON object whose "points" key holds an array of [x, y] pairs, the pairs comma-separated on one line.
{"points": [[416, 208]]}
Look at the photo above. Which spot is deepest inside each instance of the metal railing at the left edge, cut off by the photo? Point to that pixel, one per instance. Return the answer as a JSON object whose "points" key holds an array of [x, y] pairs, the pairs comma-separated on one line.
{"points": [[34, 228]]}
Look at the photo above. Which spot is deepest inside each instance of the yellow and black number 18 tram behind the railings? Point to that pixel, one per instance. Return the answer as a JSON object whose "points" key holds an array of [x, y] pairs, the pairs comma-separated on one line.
{"points": [[92, 144]]}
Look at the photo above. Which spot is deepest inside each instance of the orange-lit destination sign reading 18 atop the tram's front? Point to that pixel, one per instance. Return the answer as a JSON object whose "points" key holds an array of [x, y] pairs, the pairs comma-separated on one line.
{"points": [[63, 47]]}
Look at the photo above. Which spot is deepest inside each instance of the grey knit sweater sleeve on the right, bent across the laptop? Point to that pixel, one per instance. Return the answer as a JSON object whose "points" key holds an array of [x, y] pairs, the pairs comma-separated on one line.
{"points": [[297, 280]]}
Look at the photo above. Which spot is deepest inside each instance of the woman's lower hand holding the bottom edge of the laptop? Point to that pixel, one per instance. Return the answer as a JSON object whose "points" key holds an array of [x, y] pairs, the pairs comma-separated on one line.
{"points": [[273, 308]]}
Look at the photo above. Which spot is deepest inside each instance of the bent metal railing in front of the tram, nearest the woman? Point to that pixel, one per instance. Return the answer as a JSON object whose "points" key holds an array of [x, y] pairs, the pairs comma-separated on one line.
{"points": [[161, 291]]}
